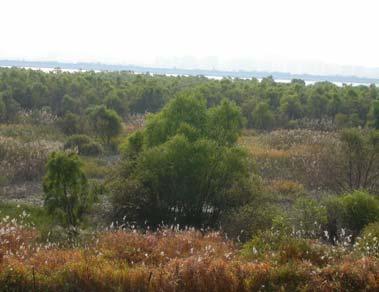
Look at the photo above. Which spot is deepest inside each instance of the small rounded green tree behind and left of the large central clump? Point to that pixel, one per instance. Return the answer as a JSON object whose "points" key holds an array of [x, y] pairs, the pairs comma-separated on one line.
{"points": [[106, 123]]}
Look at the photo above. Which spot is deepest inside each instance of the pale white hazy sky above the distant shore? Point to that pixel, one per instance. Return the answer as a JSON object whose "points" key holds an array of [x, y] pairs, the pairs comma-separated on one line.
{"points": [[299, 36]]}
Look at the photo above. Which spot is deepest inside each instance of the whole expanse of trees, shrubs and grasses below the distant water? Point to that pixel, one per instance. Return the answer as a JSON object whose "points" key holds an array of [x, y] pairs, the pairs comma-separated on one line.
{"points": [[117, 181]]}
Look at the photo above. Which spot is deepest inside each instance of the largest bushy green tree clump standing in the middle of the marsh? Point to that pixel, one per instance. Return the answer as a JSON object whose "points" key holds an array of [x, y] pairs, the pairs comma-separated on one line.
{"points": [[177, 171]]}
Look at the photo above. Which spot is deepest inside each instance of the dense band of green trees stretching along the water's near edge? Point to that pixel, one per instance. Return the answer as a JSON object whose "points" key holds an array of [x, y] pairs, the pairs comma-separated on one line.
{"points": [[265, 105]]}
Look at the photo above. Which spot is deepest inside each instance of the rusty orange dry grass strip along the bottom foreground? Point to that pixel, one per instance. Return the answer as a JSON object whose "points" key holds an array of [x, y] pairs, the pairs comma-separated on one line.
{"points": [[170, 260]]}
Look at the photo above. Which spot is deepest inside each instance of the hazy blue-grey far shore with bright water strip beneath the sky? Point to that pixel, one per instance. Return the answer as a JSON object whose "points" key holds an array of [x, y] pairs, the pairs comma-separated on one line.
{"points": [[339, 79]]}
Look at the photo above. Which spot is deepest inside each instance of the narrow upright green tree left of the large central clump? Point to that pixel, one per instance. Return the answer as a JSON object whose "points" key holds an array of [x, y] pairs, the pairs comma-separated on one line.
{"points": [[66, 189]]}
